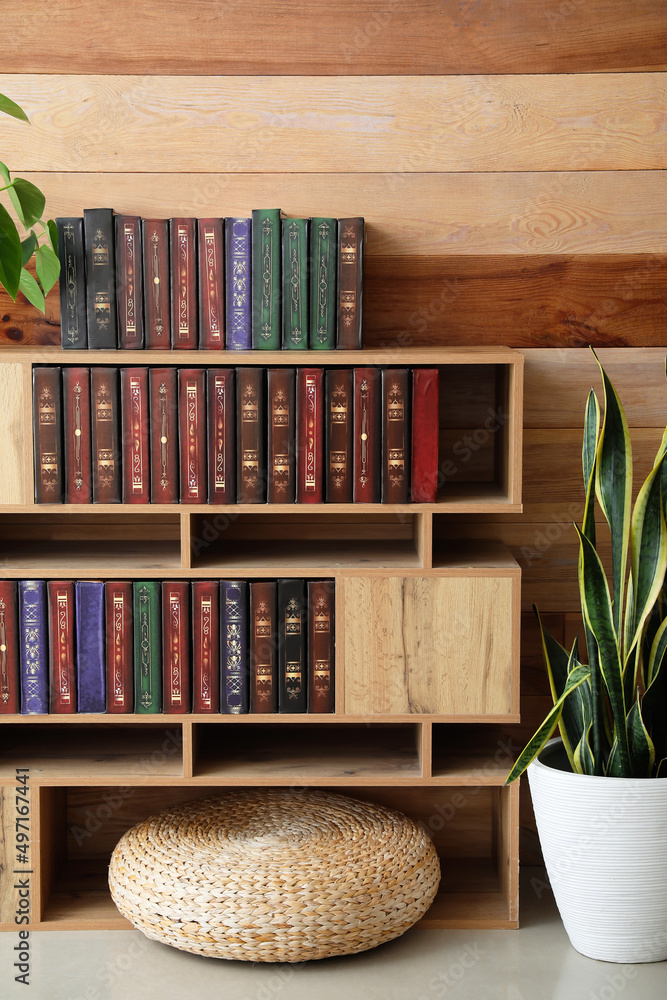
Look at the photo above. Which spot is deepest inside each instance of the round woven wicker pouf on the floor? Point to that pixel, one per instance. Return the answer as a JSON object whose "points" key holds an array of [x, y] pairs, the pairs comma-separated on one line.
{"points": [[274, 876]]}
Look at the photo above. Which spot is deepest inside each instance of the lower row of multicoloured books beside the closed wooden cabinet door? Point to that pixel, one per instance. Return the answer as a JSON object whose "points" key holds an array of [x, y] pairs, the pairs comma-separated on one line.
{"points": [[166, 646]]}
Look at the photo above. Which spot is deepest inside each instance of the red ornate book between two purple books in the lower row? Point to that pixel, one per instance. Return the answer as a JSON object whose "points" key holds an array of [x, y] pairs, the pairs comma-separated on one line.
{"points": [[62, 679]]}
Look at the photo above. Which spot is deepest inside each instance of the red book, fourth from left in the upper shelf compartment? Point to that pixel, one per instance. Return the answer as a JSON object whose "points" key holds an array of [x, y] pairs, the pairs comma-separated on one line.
{"points": [[135, 449]]}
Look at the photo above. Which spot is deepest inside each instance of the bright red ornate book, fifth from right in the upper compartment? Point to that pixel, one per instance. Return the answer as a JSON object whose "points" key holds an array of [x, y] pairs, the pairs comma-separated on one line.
{"points": [[309, 435]]}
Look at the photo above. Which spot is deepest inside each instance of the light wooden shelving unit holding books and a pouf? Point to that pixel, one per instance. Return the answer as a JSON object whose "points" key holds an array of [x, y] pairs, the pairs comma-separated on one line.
{"points": [[427, 650]]}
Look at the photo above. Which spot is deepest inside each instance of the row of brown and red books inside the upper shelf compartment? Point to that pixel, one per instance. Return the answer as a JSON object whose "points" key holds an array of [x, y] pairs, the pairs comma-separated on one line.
{"points": [[235, 435]]}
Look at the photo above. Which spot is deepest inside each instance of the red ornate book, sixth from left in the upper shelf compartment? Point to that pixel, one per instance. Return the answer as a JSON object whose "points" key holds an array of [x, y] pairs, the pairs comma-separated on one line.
{"points": [[192, 434]]}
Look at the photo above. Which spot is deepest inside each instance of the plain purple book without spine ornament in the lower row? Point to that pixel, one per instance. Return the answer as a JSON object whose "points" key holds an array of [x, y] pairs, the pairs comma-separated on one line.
{"points": [[90, 663]]}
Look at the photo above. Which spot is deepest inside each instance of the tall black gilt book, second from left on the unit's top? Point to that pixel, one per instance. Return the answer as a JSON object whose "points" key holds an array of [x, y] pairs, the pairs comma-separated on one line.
{"points": [[98, 238]]}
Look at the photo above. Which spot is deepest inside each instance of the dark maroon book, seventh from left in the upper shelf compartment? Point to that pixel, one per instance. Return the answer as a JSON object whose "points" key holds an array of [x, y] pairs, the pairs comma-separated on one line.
{"points": [[221, 404]]}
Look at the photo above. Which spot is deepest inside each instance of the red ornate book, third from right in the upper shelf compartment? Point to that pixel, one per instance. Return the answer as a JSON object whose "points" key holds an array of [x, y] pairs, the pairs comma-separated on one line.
{"points": [[367, 443]]}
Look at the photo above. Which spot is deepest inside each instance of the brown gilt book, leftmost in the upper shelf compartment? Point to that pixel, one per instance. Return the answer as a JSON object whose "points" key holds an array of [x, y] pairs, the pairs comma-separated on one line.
{"points": [[47, 430]]}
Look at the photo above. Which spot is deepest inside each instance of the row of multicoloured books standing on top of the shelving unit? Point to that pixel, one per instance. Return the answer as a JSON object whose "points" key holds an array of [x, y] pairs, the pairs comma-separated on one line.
{"points": [[262, 282]]}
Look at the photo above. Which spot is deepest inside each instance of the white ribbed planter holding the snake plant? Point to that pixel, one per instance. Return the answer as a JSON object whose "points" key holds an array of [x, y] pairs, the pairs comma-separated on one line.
{"points": [[604, 842]]}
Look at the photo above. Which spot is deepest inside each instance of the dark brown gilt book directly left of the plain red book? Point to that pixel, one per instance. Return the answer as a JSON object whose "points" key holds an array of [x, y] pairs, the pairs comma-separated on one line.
{"points": [[395, 435]]}
